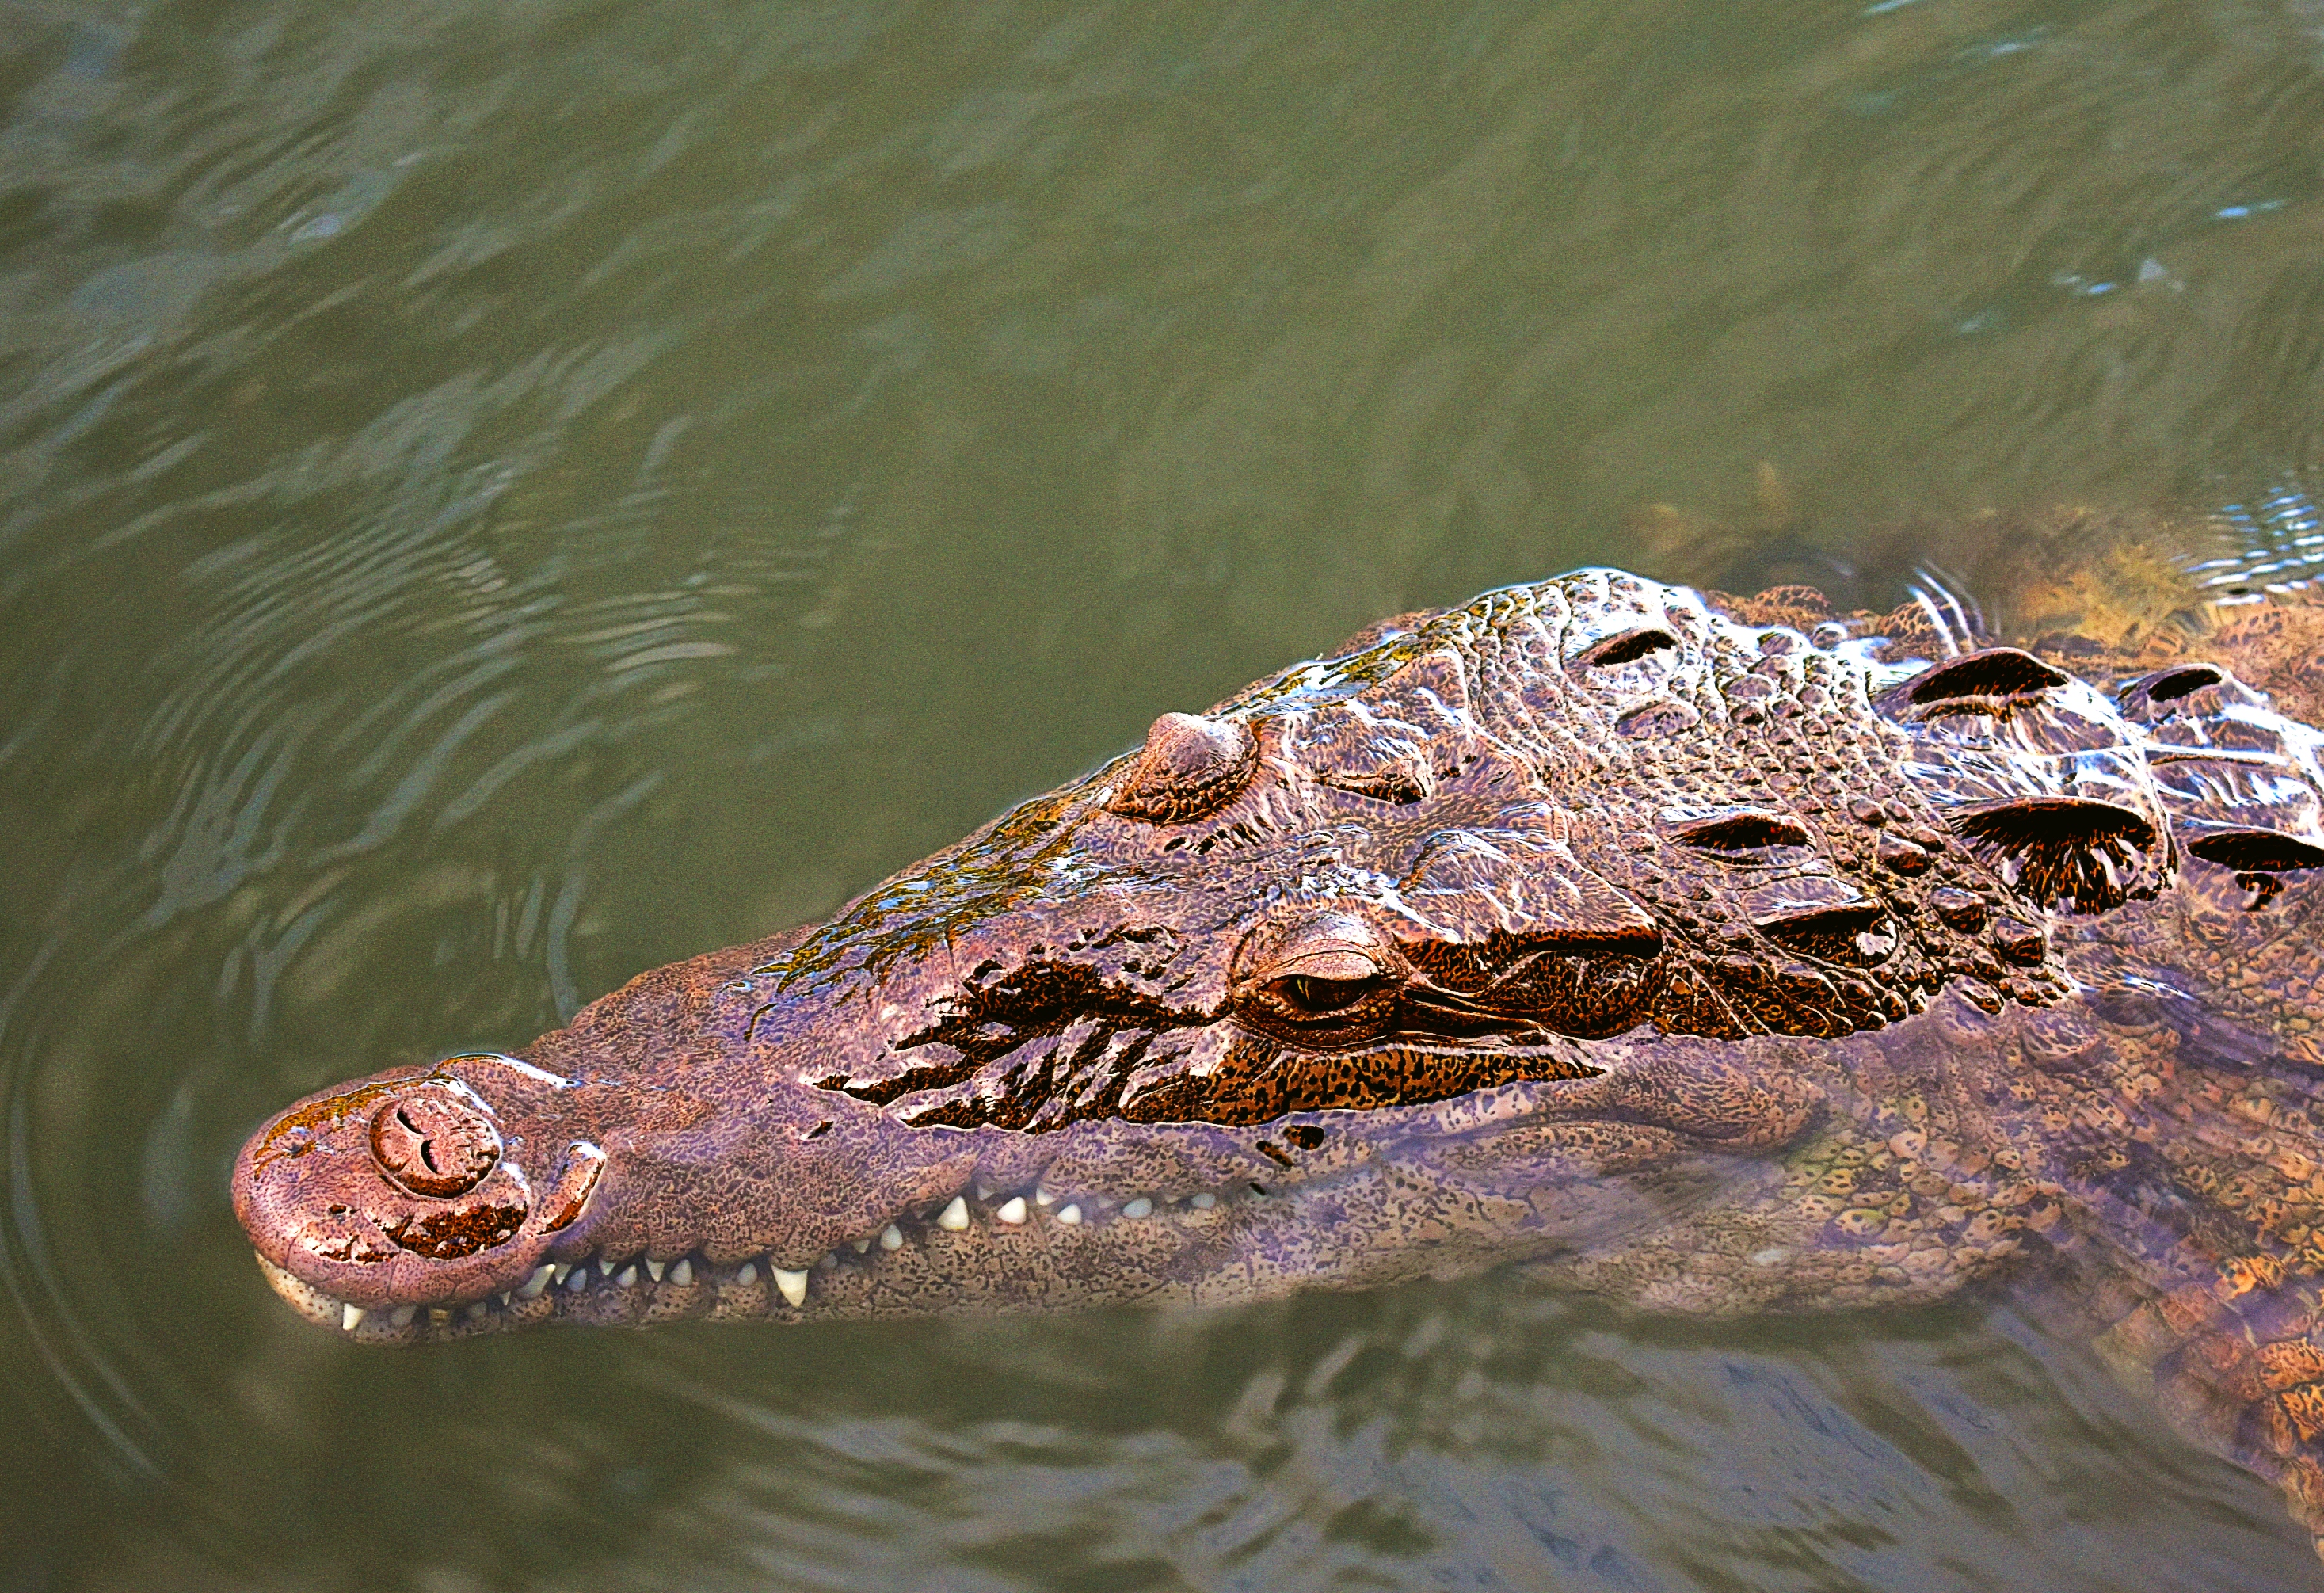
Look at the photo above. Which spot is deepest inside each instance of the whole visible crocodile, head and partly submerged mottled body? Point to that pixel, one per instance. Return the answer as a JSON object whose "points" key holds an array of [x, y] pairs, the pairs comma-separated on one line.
{"points": [[1716, 955]]}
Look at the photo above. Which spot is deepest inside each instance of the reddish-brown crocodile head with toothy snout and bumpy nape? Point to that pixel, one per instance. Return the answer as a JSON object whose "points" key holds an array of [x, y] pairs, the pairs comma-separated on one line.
{"points": [[1549, 929]]}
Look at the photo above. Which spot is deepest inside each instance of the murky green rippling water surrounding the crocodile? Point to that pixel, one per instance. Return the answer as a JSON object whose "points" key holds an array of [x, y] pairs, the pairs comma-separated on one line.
{"points": [[501, 497]]}
